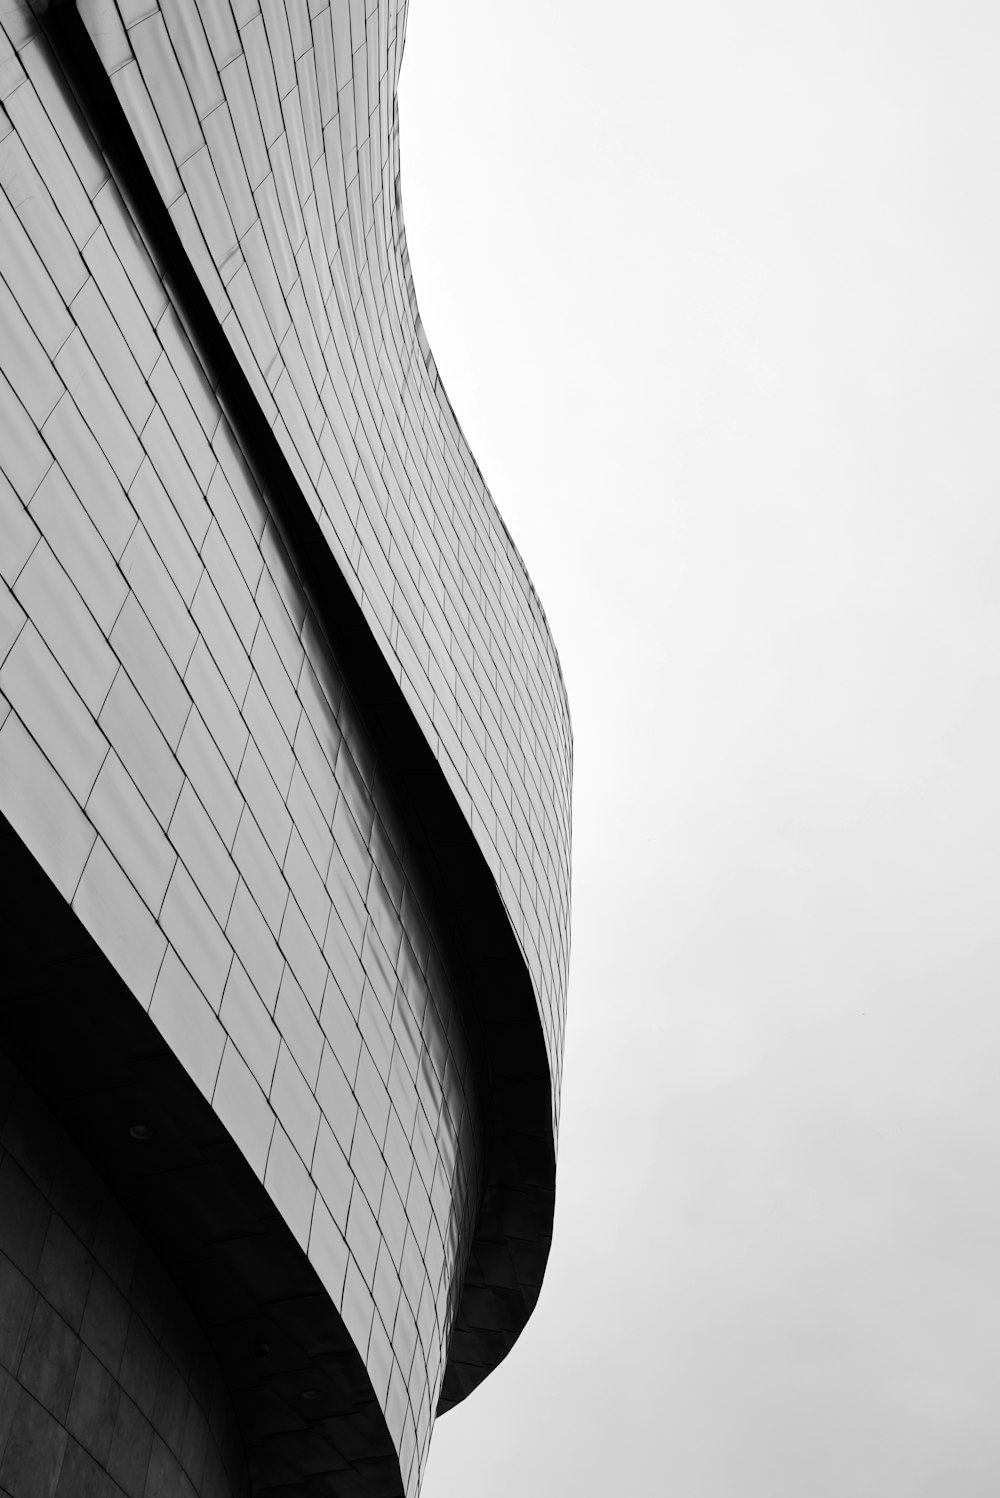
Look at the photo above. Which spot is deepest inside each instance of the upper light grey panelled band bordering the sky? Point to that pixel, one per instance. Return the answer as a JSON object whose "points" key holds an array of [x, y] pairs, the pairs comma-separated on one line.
{"points": [[272, 131]]}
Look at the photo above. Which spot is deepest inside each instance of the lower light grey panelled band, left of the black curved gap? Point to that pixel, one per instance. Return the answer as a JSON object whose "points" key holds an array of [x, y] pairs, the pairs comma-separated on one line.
{"points": [[180, 754]]}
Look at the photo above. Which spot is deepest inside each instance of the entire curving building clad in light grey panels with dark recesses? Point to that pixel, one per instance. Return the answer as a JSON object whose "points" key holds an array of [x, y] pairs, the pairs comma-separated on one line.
{"points": [[285, 781]]}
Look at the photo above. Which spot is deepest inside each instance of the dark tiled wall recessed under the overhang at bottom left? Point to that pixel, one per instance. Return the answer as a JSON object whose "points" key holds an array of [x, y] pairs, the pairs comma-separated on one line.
{"points": [[107, 1388]]}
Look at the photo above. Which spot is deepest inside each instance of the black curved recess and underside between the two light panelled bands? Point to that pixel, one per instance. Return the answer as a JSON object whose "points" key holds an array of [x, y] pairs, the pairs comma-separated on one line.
{"points": [[514, 1231]]}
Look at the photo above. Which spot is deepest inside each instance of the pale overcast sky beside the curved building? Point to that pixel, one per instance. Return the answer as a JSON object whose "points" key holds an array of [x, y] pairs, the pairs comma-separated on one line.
{"points": [[716, 294]]}
